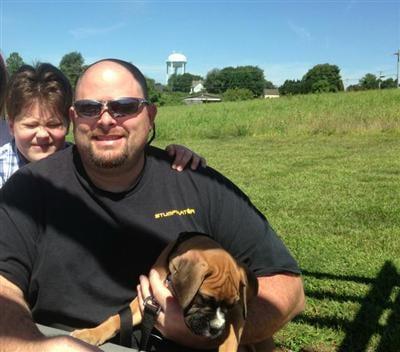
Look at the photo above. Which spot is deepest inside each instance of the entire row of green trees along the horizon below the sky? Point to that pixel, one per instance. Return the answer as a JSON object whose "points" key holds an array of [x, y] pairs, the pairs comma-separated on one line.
{"points": [[232, 83]]}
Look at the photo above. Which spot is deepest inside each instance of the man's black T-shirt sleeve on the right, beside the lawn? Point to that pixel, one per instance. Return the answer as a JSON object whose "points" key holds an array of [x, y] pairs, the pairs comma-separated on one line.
{"points": [[245, 232]]}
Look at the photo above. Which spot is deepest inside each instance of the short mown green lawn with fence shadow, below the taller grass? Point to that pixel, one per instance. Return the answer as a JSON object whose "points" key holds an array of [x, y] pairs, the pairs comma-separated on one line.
{"points": [[335, 202]]}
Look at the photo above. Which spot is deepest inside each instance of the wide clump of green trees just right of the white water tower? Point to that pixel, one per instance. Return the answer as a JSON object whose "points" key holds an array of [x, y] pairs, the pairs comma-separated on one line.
{"points": [[246, 77]]}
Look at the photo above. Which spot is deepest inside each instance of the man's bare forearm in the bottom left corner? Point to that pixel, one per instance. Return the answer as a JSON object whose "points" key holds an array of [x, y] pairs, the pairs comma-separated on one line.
{"points": [[20, 334]]}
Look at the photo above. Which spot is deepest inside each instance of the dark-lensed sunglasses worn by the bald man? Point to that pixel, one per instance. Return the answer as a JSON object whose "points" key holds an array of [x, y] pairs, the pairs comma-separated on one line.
{"points": [[89, 109]]}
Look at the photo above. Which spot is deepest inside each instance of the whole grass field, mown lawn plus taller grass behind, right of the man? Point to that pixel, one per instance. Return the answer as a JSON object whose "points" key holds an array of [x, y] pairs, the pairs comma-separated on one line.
{"points": [[325, 170]]}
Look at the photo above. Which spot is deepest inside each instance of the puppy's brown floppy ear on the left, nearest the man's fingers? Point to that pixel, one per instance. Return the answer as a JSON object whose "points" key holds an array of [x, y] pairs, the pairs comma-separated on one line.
{"points": [[187, 275]]}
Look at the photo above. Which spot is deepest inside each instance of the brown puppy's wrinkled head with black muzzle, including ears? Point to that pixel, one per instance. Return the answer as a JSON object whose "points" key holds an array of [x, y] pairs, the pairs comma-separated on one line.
{"points": [[207, 285]]}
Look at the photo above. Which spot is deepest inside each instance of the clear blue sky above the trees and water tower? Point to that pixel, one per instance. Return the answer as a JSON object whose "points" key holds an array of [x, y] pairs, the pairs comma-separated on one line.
{"points": [[284, 38]]}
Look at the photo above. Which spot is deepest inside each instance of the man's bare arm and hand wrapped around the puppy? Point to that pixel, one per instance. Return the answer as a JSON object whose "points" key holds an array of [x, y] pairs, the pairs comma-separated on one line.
{"points": [[280, 298]]}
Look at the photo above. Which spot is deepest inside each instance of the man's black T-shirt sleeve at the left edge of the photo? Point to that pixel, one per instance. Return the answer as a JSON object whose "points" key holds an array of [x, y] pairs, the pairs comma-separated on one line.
{"points": [[18, 228]]}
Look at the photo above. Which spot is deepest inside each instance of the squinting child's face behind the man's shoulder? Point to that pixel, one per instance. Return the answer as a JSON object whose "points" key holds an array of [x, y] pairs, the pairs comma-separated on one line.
{"points": [[38, 133]]}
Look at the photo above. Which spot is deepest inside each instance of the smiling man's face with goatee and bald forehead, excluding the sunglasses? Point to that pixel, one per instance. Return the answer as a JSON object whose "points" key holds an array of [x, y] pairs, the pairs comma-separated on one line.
{"points": [[106, 142]]}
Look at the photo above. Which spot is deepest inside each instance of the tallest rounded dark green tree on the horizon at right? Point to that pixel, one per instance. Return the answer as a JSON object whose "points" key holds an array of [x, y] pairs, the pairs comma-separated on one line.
{"points": [[322, 78]]}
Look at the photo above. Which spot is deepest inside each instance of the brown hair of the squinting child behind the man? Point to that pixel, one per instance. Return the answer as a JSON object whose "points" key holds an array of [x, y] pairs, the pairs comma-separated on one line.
{"points": [[43, 83]]}
